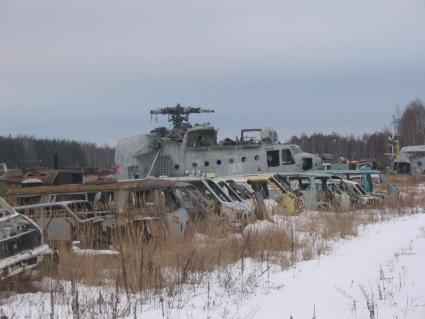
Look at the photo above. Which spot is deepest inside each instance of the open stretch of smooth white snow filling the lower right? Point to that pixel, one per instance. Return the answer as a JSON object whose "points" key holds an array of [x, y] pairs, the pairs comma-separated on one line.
{"points": [[379, 274]]}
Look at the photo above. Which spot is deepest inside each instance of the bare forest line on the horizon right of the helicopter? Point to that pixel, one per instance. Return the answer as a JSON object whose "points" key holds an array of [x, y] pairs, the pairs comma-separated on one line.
{"points": [[409, 129]]}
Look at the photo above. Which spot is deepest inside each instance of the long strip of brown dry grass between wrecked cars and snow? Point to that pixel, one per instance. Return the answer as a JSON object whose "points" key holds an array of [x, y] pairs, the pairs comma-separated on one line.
{"points": [[165, 264]]}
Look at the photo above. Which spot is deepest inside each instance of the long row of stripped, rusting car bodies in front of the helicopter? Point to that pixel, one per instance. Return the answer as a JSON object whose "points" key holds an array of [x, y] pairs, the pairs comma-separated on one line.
{"points": [[91, 213]]}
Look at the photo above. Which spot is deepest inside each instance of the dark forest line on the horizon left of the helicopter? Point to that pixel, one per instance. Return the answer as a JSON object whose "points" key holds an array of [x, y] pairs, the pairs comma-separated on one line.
{"points": [[30, 152]]}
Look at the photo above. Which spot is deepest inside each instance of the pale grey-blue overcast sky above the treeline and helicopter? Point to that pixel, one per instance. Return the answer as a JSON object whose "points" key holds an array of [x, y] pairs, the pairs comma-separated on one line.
{"points": [[92, 69]]}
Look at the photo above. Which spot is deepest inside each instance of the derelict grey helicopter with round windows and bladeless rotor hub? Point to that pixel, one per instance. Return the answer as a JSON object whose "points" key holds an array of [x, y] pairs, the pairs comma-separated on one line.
{"points": [[195, 150]]}
